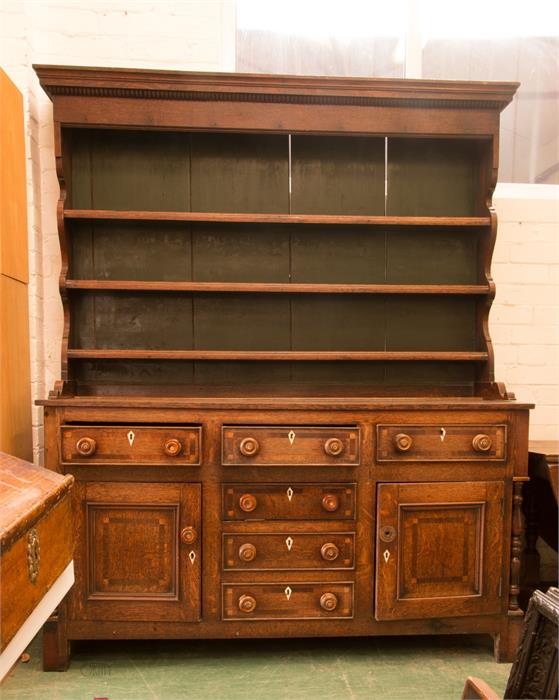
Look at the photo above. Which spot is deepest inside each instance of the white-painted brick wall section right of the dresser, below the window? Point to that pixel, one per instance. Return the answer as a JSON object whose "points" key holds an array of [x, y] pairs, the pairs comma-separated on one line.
{"points": [[524, 320]]}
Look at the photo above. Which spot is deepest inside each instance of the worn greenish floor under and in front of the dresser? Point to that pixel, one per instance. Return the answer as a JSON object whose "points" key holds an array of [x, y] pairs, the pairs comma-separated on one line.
{"points": [[415, 668]]}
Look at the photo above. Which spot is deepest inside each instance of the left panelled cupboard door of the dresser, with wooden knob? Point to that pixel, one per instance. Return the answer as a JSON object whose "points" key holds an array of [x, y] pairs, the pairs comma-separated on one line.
{"points": [[141, 549]]}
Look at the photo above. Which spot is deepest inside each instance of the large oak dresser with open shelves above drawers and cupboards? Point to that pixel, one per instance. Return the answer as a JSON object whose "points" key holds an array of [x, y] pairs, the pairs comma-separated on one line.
{"points": [[277, 394]]}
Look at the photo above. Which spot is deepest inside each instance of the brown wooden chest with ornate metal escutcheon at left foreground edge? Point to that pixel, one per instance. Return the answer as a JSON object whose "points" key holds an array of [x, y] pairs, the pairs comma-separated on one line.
{"points": [[36, 539]]}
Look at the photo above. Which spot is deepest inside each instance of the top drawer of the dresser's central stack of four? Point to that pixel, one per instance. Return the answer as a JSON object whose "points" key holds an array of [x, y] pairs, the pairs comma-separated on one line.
{"points": [[285, 446]]}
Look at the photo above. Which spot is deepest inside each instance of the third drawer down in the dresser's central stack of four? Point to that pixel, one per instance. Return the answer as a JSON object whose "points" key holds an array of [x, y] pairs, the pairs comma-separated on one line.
{"points": [[300, 550]]}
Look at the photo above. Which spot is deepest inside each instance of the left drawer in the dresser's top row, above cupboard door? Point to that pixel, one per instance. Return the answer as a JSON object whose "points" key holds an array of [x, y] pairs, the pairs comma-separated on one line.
{"points": [[125, 444]]}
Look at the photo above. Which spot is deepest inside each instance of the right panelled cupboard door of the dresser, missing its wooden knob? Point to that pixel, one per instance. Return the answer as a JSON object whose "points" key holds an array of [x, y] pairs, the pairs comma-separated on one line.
{"points": [[439, 549]]}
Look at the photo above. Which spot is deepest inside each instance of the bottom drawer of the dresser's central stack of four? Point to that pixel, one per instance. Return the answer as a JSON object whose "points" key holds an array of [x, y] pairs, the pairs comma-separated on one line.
{"points": [[287, 601]]}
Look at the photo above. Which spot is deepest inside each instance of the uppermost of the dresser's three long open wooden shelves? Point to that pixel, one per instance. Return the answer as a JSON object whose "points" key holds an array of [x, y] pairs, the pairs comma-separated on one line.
{"points": [[209, 217]]}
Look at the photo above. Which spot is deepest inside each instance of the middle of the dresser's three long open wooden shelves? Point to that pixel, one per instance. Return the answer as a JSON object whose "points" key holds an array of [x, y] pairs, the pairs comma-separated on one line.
{"points": [[276, 288]]}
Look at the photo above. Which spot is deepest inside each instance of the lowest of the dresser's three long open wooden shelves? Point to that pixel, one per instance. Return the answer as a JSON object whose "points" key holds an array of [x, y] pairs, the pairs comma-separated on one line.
{"points": [[289, 355]]}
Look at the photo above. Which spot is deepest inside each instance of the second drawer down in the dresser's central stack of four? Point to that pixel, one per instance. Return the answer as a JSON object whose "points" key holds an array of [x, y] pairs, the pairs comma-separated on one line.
{"points": [[289, 501]]}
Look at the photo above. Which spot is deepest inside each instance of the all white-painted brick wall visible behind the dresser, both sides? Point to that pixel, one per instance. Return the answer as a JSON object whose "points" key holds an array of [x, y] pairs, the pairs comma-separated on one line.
{"points": [[200, 35]]}
